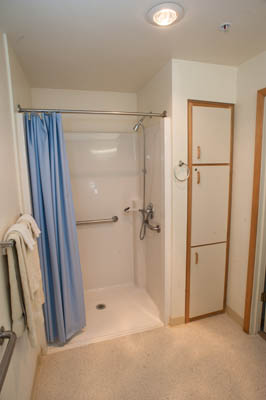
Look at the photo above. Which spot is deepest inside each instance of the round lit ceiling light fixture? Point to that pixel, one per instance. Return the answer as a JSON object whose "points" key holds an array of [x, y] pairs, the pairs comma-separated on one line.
{"points": [[165, 14]]}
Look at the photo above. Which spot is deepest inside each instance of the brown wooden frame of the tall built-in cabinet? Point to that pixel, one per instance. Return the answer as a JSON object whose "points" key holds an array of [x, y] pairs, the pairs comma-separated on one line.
{"points": [[192, 103]]}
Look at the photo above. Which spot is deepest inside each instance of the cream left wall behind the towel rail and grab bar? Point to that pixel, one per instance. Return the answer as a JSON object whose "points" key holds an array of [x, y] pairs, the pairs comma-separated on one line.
{"points": [[19, 379]]}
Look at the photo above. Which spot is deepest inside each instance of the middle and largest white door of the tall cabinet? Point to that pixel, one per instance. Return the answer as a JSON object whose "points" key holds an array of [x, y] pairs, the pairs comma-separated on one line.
{"points": [[210, 196]]}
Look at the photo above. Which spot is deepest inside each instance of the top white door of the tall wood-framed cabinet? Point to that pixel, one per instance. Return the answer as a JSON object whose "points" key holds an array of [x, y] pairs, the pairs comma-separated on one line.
{"points": [[211, 132]]}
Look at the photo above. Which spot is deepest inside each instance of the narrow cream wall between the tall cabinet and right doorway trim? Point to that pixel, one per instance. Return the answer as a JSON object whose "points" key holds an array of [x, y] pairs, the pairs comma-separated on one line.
{"points": [[251, 77]]}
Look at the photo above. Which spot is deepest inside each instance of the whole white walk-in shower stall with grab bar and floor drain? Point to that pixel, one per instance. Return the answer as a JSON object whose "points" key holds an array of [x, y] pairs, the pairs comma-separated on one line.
{"points": [[122, 199]]}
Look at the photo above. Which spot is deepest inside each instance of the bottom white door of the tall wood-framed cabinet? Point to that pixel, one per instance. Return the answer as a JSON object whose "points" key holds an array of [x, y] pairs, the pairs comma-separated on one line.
{"points": [[207, 276]]}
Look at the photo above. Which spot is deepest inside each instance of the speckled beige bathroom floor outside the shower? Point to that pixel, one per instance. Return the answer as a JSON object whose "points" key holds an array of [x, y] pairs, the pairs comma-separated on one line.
{"points": [[211, 359]]}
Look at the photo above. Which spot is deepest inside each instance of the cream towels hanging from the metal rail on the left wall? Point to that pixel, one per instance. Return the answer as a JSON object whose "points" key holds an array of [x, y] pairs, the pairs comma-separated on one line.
{"points": [[25, 286]]}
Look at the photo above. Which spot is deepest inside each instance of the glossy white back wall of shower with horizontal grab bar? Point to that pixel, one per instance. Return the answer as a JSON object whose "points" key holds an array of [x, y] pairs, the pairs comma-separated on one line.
{"points": [[105, 179]]}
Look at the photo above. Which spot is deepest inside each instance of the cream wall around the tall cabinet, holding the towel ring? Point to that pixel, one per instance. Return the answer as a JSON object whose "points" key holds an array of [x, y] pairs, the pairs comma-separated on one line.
{"points": [[170, 89]]}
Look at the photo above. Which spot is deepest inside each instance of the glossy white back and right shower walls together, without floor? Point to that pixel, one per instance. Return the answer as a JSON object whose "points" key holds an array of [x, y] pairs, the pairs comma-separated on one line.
{"points": [[106, 177]]}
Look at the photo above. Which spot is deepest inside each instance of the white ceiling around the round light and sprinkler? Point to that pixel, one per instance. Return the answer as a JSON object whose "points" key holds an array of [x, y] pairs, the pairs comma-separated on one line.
{"points": [[108, 45]]}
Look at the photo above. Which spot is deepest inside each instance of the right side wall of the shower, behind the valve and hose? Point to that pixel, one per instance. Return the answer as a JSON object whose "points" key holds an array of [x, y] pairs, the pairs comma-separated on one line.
{"points": [[156, 246]]}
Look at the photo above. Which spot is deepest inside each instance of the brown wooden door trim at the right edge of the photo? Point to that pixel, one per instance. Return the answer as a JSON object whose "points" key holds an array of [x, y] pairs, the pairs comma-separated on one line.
{"points": [[261, 94]]}
